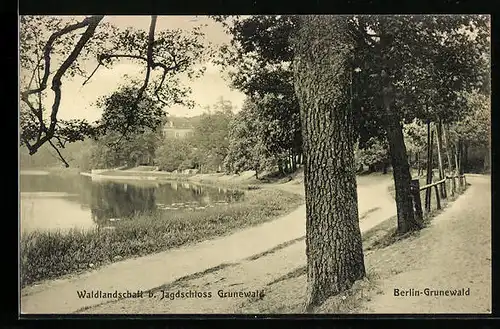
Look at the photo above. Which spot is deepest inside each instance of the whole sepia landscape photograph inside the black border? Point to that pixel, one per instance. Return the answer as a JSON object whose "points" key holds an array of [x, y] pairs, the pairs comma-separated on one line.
{"points": [[259, 164]]}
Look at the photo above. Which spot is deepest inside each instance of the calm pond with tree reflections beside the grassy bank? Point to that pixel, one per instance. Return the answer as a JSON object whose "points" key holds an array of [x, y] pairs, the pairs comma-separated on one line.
{"points": [[56, 202]]}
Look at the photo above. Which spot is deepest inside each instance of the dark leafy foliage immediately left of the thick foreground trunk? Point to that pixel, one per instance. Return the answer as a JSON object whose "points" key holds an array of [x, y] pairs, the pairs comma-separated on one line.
{"points": [[261, 54]]}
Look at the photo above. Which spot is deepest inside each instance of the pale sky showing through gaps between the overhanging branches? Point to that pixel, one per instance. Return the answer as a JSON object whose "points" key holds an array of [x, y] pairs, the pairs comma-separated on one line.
{"points": [[77, 100]]}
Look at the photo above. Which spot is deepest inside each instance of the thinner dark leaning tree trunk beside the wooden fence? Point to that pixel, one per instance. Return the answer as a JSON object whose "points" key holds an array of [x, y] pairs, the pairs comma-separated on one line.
{"points": [[399, 158]]}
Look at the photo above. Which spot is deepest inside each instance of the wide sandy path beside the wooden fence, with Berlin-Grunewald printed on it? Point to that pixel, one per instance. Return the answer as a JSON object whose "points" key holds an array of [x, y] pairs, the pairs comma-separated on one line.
{"points": [[454, 252]]}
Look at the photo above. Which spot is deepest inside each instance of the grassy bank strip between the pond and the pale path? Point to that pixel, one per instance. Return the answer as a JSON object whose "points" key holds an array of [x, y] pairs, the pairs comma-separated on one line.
{"points": [[49, 255]]}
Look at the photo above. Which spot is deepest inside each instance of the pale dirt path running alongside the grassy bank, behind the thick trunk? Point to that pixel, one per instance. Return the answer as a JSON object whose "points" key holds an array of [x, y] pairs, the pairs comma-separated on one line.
{"points": [[150, 272]]}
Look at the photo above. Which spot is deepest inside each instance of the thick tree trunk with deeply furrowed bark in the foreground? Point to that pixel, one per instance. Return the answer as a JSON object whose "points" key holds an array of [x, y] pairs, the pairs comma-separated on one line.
{"points": [[322, 76]]}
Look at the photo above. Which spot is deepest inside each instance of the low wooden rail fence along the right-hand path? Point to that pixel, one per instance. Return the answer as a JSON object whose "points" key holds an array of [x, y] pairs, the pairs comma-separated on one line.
{"points": [[440, 192]]}
